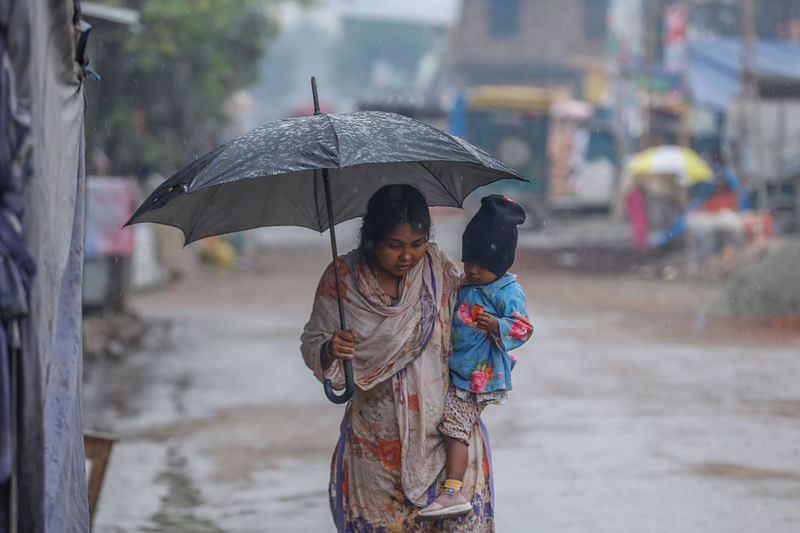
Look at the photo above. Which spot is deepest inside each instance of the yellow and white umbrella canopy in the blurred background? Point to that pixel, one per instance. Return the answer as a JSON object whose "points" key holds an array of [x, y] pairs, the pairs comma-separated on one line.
{"points": [[683, 162]]}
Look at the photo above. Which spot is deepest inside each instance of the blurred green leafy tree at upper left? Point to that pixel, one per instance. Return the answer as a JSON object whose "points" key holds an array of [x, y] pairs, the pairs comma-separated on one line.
{"points": [[162, 89]]}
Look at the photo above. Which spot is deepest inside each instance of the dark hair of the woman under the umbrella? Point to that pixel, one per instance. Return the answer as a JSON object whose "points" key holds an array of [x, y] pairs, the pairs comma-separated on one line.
{"points": [[389, 207]]}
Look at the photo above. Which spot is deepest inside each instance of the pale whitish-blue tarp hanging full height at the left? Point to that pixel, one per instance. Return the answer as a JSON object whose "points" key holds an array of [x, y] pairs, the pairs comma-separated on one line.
{"points": [[54, 225]]}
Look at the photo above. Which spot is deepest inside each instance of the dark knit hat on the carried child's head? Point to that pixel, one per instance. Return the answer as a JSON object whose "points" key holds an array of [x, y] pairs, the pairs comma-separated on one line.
{"points": [[490, 238]]}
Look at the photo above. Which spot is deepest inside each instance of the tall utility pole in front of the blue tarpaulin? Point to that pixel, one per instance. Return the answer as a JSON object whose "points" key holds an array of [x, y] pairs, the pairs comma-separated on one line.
{"points": [[750, 117]]}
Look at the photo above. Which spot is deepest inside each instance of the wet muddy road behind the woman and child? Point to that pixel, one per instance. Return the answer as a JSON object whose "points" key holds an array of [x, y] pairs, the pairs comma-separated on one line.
{"points": [[625, 416]]}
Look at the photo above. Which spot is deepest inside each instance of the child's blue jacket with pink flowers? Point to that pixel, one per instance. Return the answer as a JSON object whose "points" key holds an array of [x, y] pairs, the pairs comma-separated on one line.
{"points": [[479, 361]]}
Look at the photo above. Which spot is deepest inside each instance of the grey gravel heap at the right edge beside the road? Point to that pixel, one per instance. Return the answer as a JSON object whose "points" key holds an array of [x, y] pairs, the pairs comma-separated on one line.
{"points": [[768, 288]]}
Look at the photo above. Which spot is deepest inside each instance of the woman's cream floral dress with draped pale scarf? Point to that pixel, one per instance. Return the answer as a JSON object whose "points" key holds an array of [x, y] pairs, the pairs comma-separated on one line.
{"points": [[389, 461]]}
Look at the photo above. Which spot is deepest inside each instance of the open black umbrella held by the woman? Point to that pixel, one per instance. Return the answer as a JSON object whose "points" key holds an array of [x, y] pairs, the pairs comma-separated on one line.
{"points": [[291, 172]]}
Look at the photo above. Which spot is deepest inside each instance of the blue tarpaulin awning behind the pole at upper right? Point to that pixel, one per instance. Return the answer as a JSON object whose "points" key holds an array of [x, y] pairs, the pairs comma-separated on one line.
{"points": [[715, 65]]}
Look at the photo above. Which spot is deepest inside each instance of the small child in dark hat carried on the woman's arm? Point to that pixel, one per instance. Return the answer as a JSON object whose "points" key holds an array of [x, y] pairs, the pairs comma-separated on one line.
{"points": [[491, 318]]}
